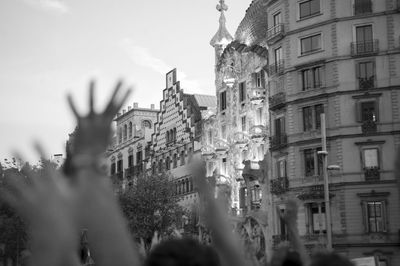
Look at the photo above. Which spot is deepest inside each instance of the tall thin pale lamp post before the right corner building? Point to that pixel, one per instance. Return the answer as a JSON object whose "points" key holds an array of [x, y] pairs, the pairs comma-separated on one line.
{"points": [[324, 153]]}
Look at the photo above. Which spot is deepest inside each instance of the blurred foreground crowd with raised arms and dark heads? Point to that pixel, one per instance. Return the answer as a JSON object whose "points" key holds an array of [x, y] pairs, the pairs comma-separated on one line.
{"points": [[58, 204]]}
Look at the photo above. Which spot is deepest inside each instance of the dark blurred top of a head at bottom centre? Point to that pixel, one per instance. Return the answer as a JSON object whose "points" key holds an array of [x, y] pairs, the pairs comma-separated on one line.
{"points": [[182, 252]]}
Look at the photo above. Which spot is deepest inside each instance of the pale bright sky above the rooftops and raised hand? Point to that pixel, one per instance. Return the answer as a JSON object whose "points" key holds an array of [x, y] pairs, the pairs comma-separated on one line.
{"points": [[51, 47]]}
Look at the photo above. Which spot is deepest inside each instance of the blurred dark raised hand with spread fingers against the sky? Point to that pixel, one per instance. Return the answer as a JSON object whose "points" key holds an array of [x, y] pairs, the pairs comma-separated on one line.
{"points": [[94, 130]]}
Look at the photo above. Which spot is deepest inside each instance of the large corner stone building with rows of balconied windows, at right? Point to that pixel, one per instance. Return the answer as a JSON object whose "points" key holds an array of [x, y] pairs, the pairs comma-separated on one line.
{"points": [[340, 58]]}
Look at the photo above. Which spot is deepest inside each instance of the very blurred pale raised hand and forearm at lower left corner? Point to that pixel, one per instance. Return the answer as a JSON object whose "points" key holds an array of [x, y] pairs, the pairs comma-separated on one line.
{"points": [[44, 200]]}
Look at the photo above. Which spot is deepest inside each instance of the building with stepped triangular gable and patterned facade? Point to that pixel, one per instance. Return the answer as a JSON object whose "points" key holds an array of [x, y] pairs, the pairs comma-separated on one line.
{"points": [[177, 136]]}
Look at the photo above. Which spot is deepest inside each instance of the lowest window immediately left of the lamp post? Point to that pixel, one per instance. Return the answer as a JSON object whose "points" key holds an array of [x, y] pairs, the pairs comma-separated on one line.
{"points": [[316, 218]]}
